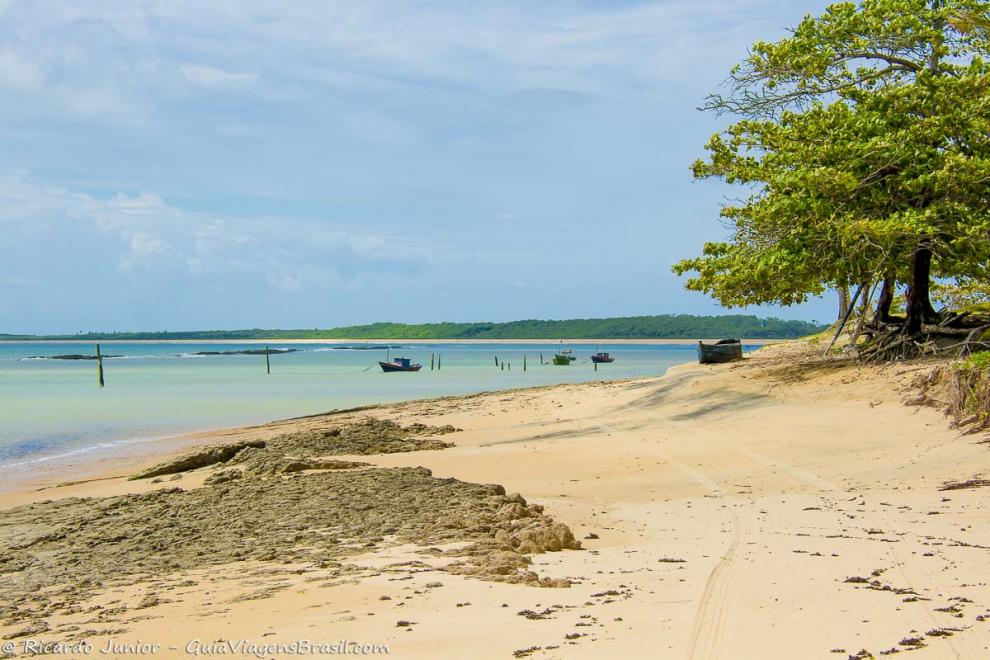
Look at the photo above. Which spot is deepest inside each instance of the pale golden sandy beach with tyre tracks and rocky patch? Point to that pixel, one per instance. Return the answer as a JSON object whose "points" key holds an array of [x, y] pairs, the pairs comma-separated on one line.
{"points": [[781, 507]]}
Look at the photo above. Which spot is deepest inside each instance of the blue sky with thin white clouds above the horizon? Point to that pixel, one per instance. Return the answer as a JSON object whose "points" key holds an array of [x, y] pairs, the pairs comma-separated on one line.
{"points": [[177, 165]]}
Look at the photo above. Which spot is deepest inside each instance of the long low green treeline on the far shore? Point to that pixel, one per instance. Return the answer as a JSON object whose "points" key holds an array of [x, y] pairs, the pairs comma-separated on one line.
{"points": [[667, 326]]}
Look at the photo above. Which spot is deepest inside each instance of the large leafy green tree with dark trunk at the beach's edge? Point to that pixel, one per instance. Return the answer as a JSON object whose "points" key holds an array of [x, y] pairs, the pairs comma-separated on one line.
{"points": [[864, 140]]}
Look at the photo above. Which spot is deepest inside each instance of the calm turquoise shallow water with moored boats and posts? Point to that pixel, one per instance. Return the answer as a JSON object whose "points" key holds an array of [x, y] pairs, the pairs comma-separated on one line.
{"points": [[54, 408]]}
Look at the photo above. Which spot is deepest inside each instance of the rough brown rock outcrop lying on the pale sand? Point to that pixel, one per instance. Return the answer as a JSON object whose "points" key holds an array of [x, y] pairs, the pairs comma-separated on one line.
{"points": [[278, 501]]}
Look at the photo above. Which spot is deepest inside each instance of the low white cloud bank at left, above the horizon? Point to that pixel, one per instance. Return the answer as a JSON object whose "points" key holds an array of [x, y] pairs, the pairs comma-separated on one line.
{"points": [[151, 234]]}
